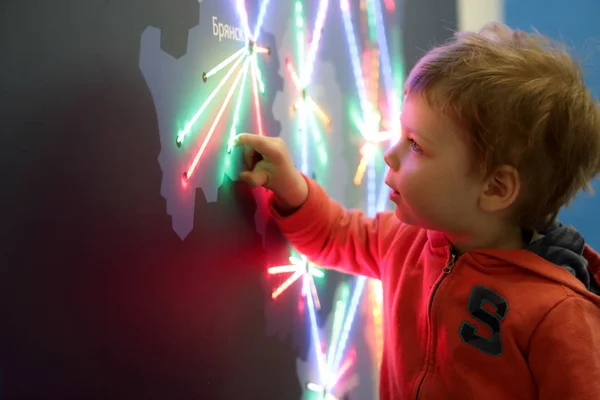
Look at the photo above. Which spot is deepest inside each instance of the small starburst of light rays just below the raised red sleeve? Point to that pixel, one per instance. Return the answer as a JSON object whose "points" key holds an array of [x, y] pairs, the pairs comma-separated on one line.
{"points": [[300, 268]]}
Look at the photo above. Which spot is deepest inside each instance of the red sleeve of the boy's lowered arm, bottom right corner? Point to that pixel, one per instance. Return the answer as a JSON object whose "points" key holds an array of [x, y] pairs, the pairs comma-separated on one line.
{"points": [[565, 351]]}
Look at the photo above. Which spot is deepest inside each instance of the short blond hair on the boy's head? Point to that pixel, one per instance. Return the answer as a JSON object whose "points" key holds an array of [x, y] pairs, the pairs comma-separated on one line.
{"points": [[523, 101]]}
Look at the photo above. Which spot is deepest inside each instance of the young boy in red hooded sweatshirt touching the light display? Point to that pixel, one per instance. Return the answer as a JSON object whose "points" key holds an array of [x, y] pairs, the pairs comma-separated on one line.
{"points": [[485, 295]]}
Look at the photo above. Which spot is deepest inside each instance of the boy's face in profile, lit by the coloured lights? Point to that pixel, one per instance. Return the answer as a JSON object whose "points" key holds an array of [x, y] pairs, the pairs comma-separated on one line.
{"points": [[431, 177]]}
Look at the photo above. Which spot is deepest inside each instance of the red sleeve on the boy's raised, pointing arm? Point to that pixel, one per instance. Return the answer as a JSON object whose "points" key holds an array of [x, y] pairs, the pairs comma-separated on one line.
{"points": [[336, 238]]}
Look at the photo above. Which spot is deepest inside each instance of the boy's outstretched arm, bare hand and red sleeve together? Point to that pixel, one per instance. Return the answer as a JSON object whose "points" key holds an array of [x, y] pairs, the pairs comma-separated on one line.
{"points": [[316, 226]]}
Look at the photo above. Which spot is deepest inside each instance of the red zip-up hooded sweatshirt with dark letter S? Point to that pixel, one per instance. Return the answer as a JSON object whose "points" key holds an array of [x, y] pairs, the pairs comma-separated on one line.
{"points": [[490, 324]]}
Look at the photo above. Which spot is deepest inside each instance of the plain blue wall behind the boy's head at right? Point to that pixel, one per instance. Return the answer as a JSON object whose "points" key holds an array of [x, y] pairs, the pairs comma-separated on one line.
{"points": [[576, 24]]}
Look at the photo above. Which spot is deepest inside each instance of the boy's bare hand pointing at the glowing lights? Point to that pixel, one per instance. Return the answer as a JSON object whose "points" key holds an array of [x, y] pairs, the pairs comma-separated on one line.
{"points": [[269, 164]]}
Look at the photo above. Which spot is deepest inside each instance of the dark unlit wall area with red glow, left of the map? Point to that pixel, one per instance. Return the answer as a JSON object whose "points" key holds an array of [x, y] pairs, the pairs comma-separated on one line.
{"points": [[98, 296]]}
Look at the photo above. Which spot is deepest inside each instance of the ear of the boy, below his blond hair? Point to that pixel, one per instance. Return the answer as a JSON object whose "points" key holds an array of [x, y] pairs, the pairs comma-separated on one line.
{"points": [[501, 189]]}
